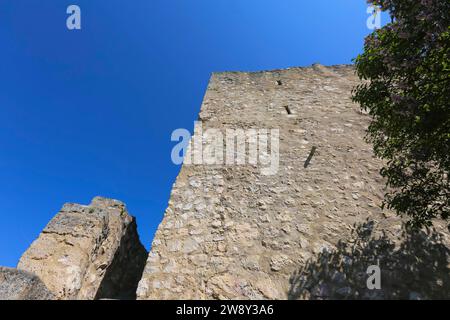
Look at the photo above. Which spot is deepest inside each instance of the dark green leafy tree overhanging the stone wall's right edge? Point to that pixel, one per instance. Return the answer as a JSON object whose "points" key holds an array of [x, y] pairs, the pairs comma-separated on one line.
{"points": [[405, 70]]}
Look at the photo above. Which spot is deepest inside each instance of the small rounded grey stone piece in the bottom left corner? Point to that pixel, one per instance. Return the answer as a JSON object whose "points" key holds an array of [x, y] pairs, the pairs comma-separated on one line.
{"points": [[21, 285]]}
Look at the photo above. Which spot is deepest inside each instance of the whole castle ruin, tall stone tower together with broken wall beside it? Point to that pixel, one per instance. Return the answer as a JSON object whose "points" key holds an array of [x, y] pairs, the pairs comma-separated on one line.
{"points": [[311, 229]]}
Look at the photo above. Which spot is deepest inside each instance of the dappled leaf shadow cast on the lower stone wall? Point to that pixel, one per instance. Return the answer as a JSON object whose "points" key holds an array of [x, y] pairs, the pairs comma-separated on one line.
{"points": [[416, 268]]}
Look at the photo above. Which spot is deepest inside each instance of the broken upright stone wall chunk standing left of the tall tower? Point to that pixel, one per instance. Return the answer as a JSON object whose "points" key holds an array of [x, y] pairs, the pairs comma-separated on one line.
{"points": [[88, 252]]}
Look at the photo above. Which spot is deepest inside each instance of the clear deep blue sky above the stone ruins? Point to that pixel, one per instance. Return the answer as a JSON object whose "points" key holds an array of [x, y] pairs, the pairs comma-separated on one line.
{"points": [[90, 112]]}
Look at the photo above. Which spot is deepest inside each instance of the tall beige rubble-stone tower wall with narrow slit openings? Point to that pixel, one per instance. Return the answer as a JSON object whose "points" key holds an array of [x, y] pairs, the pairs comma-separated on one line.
{"points": [[230, 232]]}
